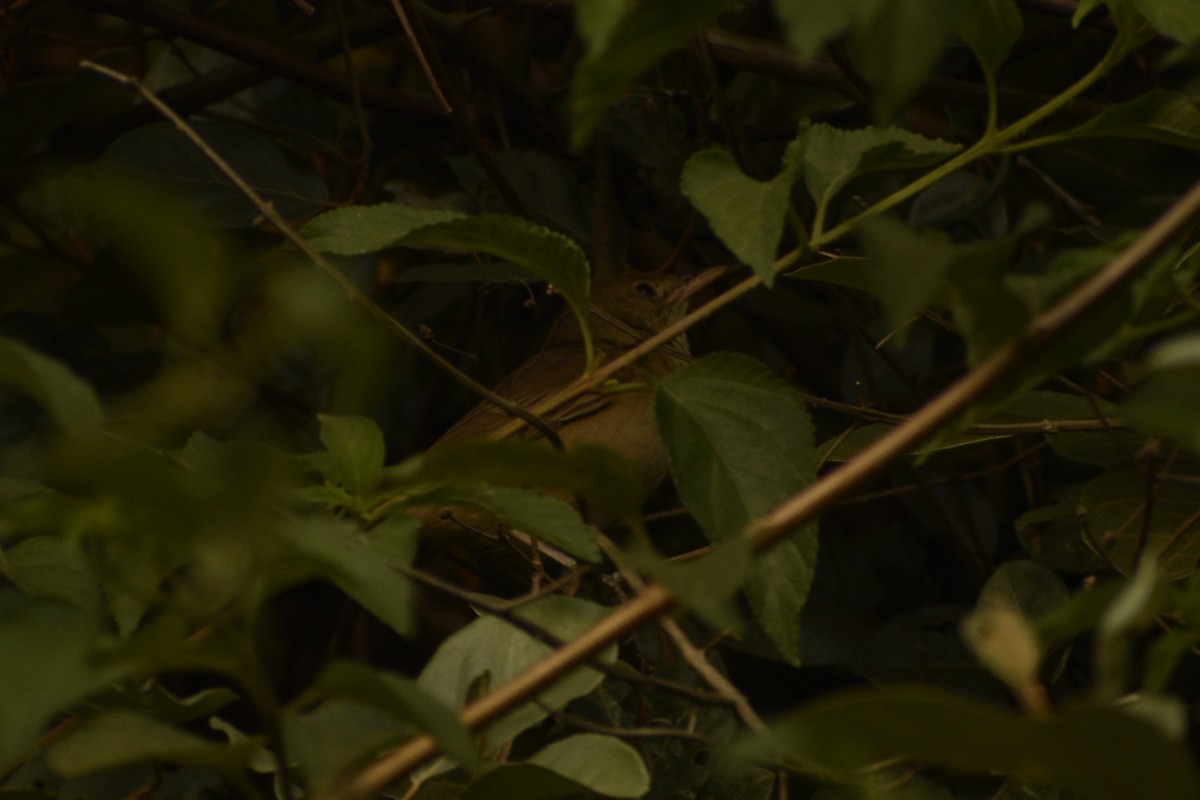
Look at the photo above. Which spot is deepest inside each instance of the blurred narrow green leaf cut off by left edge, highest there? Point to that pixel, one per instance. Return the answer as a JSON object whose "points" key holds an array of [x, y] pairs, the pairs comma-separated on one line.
{"points": [[68, 400]]}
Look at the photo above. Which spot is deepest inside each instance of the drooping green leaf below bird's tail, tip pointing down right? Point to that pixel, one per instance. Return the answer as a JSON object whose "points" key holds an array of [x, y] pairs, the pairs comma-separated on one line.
{"points": [[334, 551]]}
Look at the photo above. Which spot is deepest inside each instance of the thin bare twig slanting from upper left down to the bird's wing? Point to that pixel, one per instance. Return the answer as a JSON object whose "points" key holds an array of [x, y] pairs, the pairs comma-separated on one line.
{"points": [[349, 286]]}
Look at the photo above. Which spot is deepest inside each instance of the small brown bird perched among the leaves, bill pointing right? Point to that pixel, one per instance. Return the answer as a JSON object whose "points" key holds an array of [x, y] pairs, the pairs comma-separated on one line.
{"points": [[626, 310]]}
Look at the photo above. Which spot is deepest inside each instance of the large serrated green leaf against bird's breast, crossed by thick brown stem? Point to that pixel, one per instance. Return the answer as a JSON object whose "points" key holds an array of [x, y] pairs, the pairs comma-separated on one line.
{"points": [[741, 443]]}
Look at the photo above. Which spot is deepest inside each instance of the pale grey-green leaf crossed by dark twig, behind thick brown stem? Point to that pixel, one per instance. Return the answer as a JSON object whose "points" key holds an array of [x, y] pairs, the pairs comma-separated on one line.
{"points": [[494, 652]]}
